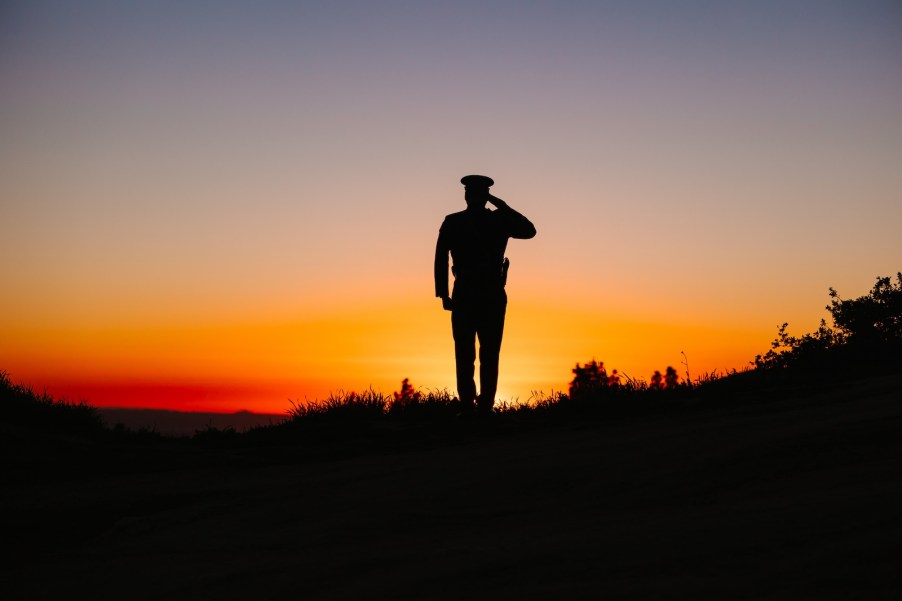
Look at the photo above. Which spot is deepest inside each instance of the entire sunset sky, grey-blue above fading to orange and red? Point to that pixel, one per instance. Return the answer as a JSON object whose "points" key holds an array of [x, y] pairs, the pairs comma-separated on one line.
{"points": [[233, 205]]}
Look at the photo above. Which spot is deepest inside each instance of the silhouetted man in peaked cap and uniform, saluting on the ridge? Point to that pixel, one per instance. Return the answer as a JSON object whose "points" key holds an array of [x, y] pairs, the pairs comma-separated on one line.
{"points": [[476, 239]]}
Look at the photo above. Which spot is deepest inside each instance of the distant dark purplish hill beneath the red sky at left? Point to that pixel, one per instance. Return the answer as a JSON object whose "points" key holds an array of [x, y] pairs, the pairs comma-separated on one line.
{"points": [[177, 423]]}
